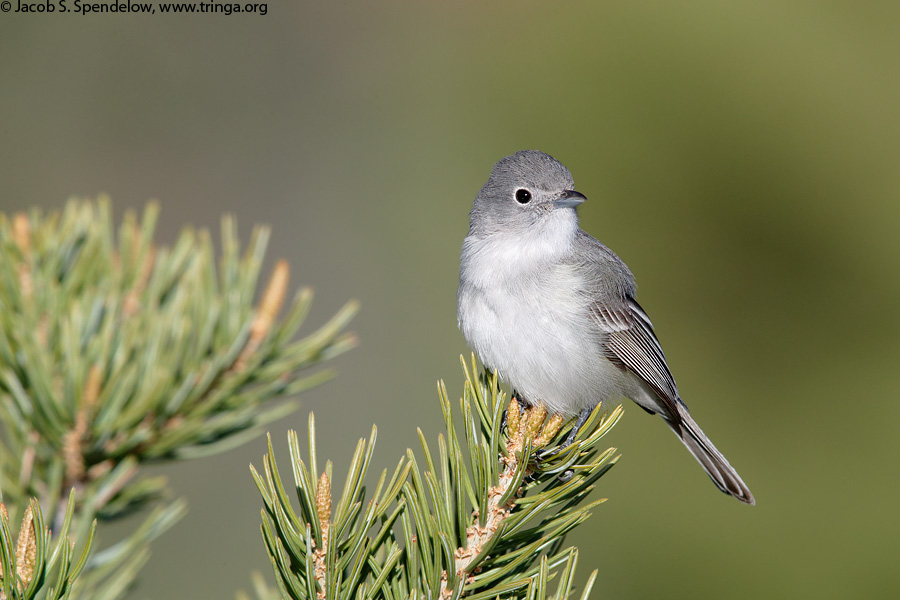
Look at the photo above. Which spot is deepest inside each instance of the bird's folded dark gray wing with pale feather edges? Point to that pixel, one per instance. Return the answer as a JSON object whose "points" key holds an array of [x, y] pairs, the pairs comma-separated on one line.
{"points": [[631, 343]]}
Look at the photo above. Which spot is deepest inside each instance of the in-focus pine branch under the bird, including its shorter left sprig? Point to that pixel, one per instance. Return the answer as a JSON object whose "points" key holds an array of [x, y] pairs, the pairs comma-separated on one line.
{"points": [[483, 518]]}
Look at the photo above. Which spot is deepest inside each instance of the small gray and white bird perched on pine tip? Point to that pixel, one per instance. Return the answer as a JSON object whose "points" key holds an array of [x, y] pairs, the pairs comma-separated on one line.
{"points": [[553, 310]]}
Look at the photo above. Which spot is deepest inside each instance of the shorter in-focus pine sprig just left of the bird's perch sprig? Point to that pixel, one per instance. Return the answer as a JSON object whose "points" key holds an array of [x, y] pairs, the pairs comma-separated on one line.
{"points": [[317, 554]]}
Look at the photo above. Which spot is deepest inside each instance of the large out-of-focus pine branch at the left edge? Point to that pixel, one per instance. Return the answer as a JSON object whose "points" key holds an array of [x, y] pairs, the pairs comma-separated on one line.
{"points": [[115, 352]]}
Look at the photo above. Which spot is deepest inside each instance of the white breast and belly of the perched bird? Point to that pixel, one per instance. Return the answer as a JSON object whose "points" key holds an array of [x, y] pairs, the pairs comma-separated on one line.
{"points": [[524, 310]]}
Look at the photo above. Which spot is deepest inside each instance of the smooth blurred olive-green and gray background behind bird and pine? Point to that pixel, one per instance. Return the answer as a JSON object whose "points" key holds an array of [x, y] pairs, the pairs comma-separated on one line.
{"points": [[741, 157]]}
